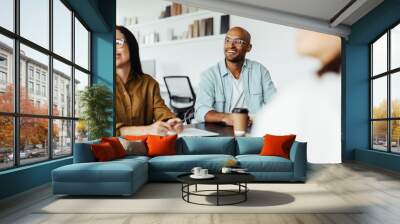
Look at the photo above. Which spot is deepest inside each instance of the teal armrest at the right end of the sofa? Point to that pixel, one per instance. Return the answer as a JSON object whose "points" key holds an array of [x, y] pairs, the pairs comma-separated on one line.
{"points": [[298, 155]]}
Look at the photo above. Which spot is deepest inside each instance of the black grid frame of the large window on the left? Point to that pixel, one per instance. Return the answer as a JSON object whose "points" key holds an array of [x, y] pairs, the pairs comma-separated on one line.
{"points": [[16, 115]]}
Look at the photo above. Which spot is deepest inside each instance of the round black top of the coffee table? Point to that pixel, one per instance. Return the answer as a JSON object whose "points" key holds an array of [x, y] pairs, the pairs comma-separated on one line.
{"points": [[220, 178]]}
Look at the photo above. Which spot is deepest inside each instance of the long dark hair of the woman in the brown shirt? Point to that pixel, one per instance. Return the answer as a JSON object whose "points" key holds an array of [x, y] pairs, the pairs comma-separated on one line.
{"points": [[133, 46]]}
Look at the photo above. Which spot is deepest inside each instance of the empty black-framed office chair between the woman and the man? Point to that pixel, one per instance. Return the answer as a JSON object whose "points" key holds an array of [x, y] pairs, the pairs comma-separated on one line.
{"points": [[181, 95]]}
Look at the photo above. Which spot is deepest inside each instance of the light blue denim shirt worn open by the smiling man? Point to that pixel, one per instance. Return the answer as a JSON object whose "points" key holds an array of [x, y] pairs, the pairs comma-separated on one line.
{"points": [[215, 88]]}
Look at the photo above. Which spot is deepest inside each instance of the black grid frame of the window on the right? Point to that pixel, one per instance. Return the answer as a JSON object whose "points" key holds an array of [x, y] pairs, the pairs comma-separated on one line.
{"points": [[388, 74]]}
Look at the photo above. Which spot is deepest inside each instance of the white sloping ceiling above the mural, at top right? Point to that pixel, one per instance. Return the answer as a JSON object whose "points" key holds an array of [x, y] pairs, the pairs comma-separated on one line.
{"points": [[324, 16]]}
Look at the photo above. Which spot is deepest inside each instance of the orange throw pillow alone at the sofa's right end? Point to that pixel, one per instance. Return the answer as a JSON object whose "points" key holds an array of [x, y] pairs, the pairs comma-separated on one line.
{"points": [[277, 145]]}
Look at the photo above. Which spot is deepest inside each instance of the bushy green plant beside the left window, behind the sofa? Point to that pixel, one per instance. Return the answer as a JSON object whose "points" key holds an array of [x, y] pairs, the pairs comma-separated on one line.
{"points": [[96, 104]]}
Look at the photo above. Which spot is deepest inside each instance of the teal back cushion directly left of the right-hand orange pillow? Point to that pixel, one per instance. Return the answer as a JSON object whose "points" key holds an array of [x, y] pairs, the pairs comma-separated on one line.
{"points": [[249, 145]]}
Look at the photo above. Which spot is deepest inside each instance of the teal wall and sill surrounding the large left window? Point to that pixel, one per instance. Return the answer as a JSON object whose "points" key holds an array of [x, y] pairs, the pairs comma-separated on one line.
{"points": [[99, 16]]}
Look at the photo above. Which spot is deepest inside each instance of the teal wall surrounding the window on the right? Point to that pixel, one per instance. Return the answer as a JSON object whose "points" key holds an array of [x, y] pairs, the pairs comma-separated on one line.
{"points": [[355, 86]]}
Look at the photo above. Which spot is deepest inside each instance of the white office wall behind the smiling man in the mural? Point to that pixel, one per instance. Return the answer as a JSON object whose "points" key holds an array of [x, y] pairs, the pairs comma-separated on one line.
{"points": [[273, 46]]}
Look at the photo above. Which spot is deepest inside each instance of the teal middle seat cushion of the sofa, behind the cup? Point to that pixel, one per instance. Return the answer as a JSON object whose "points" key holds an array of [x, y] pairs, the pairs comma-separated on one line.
{"points": [[185, 163]]}
